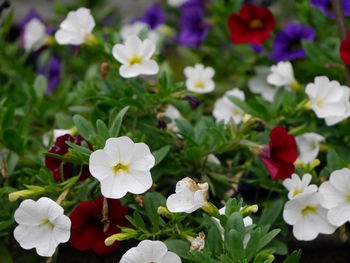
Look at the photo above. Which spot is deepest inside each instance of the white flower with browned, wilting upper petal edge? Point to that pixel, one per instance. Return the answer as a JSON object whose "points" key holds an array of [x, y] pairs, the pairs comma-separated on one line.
{"points": [[188, 197]]}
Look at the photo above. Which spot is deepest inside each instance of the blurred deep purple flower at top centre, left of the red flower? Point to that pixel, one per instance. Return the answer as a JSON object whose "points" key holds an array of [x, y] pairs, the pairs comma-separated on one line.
{"points": [[194, 29]]}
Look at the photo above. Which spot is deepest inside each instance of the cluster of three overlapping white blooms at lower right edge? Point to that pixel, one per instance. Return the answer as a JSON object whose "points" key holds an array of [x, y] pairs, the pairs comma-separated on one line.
{"points": [[313, 212]]}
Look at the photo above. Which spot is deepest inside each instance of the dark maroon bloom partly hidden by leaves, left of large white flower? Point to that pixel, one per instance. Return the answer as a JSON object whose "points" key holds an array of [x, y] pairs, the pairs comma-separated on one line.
{"points": [[69, 170]]}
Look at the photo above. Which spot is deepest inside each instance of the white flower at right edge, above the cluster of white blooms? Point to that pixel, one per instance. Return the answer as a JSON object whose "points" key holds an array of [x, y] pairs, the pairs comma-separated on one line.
{"points": [[329, 99]]}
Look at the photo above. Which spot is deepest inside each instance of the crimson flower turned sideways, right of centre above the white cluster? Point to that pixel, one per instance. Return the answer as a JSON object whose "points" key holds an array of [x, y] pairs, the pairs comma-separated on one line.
{"points": [[280, 155]]}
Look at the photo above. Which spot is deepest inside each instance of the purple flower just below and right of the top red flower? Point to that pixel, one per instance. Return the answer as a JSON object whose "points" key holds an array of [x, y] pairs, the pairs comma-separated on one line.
{"points": [[287, 44]]}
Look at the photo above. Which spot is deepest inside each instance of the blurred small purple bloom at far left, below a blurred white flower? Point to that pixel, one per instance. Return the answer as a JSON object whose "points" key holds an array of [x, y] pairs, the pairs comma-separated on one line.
{"points": [[52, 71]]}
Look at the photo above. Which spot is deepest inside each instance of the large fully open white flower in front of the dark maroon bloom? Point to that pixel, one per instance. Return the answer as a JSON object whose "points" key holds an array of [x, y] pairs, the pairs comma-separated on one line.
{"points": [[122, 166]]}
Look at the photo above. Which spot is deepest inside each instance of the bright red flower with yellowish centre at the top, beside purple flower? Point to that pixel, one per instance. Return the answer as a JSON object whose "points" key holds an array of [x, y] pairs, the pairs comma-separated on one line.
{"points": [[252, 25]]}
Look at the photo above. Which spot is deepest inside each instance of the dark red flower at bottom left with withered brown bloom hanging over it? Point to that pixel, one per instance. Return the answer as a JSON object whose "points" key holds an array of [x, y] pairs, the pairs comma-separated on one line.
{"points": [[89, 232]]}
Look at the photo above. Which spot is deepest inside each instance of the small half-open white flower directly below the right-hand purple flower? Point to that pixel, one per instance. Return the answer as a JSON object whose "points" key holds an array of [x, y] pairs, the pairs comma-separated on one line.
{"points": [[281, 74]]}
